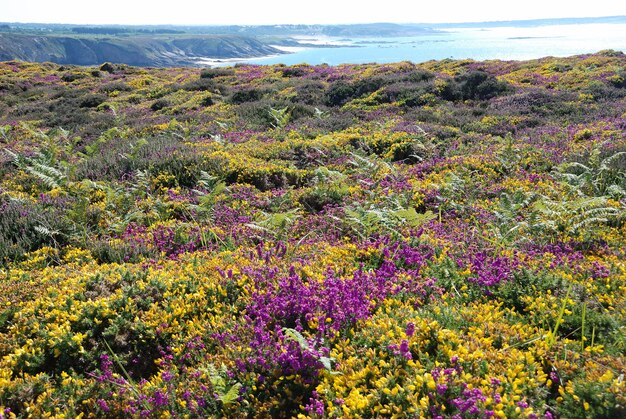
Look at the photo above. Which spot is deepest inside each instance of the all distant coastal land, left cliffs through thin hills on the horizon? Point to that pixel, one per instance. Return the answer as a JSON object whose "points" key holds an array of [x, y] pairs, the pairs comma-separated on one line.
{"points": [[171, 45]]}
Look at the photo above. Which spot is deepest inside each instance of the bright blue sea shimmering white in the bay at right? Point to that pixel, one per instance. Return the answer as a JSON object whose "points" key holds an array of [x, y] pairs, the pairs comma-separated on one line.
{"points": [[506, 43]]}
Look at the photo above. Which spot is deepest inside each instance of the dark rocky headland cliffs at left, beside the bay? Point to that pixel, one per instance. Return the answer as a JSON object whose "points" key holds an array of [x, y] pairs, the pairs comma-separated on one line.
{"points": [[136, 50]]}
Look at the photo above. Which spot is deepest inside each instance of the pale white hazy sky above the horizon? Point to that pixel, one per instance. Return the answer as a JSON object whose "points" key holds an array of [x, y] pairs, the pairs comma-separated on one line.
{"points": [[199, 12]]}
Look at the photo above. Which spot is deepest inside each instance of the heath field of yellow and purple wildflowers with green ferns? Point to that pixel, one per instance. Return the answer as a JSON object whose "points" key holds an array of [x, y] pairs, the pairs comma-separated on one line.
{"points": [[445, 239]]}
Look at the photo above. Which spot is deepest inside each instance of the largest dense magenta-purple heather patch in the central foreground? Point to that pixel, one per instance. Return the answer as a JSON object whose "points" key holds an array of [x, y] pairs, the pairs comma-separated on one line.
{"points": [[320, 308]]}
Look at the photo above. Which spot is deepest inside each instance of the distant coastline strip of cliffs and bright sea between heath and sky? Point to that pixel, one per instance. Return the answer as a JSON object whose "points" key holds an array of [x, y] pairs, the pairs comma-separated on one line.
{"points": [[179, 46]]}
